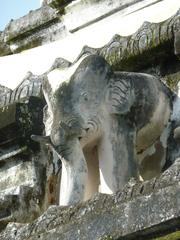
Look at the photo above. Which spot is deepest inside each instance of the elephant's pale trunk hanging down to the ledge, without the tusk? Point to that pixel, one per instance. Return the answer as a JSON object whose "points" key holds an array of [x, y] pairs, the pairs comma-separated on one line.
{"points": [[74, 167]]}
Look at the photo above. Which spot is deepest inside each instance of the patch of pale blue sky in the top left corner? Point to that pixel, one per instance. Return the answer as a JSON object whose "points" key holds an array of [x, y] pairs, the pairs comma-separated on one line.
{"points": [[13, 9]]}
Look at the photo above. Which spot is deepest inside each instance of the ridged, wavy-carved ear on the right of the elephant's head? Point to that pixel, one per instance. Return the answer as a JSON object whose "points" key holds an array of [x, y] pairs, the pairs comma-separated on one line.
{"points": [[120, 94]]}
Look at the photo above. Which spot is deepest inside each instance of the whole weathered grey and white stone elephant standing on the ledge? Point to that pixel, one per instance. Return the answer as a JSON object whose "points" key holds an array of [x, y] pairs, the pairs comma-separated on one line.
{"points": [[106, 127]]}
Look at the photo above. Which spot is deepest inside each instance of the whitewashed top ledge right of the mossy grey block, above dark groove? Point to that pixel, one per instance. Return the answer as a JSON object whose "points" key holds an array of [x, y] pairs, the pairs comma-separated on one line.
{"points": [[80, 13]]}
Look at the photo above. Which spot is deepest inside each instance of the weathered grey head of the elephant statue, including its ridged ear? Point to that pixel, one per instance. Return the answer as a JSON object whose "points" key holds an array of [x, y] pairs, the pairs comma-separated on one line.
{"points": [[78, 104]]}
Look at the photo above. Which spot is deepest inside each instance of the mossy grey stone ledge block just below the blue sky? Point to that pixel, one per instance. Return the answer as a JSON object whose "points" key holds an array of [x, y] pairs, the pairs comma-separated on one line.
{"points": [[34, 29]]}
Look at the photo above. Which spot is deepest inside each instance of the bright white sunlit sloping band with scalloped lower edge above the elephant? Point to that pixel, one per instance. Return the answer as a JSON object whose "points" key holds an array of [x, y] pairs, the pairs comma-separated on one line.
{"points": [[13, 68]]}
